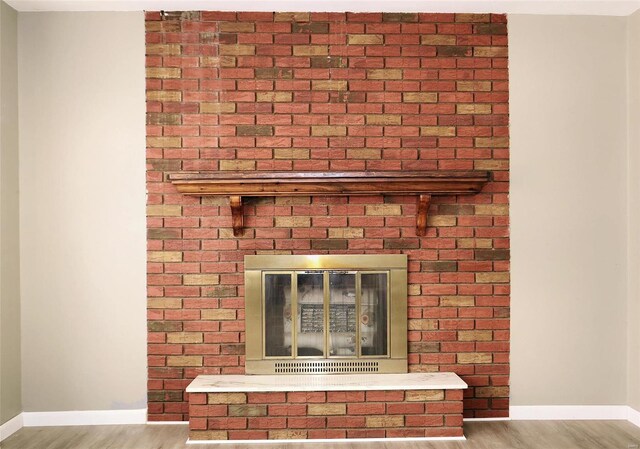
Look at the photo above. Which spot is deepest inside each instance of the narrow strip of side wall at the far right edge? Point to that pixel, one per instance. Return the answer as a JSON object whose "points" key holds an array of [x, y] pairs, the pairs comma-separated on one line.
{"points": [[633, 320]]}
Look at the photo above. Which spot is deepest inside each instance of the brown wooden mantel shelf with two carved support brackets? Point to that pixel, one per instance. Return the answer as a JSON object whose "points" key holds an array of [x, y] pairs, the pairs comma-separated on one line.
{"points": [[236, 185]]}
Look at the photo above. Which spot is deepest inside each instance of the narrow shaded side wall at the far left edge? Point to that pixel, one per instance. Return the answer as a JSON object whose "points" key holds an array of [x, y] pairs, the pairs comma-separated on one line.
{"points": [[10, 378]]}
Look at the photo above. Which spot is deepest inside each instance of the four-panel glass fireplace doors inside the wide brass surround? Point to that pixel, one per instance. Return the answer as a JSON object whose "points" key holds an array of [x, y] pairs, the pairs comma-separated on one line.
{"points": [[325, 314]]}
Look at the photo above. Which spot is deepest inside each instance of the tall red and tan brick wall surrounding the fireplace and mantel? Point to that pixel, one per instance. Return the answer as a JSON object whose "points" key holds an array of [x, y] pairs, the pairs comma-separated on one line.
{"points": [[300, 91]]}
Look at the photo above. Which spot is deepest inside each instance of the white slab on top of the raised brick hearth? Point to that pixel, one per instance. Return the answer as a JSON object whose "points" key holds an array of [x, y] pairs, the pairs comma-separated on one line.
{"points": [[329, 382]]}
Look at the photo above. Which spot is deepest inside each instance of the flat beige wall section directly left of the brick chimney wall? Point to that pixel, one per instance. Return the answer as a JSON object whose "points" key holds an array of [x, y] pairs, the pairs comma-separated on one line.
{"points": [[82, 161]]}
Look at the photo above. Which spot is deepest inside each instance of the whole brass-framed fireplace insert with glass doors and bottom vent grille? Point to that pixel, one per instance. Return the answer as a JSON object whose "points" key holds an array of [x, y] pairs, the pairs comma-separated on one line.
{"points": [[326, 314]]}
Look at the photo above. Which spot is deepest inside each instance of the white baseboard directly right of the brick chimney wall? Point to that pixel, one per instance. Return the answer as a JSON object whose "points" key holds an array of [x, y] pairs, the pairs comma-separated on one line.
{"points": [[568, 412]]}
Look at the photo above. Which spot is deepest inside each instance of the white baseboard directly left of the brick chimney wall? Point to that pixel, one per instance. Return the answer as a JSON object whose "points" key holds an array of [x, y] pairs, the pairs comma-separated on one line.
{"points": [[84, 418]]}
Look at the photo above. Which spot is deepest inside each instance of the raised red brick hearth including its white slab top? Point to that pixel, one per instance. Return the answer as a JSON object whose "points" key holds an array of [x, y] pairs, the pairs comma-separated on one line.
{"points": [[426, 406]]}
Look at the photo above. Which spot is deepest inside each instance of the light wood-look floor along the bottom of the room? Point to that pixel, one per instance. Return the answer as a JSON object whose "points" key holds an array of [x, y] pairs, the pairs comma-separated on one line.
{"points": [[480, 435]]}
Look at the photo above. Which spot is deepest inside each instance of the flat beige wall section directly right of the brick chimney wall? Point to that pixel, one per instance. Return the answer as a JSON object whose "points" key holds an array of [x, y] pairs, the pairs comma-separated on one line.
{"points": [[568, 210]]}
